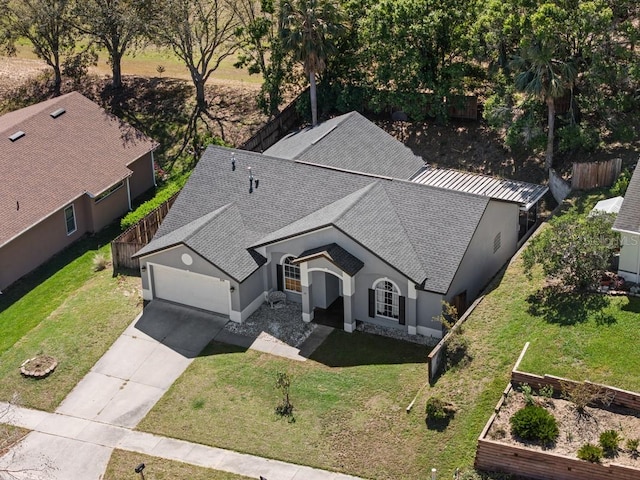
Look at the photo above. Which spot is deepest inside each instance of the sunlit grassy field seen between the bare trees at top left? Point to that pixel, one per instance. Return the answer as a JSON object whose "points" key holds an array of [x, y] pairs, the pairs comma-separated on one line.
{"points": [[145, 62]]}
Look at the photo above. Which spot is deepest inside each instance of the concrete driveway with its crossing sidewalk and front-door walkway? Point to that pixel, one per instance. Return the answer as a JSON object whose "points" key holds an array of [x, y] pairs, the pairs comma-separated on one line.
{"points": [[99, 414]]}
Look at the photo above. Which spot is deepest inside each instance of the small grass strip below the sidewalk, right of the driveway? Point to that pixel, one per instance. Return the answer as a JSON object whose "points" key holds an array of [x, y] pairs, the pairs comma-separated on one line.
{"points": [[122, 464]]}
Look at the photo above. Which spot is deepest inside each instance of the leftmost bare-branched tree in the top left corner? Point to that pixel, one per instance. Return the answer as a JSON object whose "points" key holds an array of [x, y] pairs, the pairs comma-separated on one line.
{"points": [[47, 25]]}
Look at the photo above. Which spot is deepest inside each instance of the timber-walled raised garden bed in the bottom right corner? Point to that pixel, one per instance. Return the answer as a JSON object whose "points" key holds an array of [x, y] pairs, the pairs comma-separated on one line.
{"points": [[501, 451]]}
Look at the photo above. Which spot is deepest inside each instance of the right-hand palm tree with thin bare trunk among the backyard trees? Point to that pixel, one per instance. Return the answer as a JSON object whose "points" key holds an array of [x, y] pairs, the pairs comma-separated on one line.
{"points": [[542, 75]]}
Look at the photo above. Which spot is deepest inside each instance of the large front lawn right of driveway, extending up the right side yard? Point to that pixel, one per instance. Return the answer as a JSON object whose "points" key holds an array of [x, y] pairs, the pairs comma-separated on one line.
{"points": [[350, 398]]}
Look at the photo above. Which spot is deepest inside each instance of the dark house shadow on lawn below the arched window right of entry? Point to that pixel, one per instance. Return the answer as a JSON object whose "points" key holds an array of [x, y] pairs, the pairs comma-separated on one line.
{"points": [[343, 349]]}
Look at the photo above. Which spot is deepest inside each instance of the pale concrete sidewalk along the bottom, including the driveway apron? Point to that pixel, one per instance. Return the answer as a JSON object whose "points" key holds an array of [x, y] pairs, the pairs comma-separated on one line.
{"points": [[64, 440]]}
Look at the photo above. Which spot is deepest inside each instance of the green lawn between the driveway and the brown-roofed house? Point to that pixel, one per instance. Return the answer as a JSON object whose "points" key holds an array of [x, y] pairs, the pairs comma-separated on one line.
{"points": [[71, 313]]}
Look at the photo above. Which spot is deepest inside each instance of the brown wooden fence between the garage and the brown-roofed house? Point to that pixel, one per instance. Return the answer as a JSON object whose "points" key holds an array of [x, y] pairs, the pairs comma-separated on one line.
{"points": [[137, 236]]}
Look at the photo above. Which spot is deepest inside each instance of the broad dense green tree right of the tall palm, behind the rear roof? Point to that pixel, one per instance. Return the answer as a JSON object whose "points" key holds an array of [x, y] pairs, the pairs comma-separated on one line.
{"points": [[416, 47]]}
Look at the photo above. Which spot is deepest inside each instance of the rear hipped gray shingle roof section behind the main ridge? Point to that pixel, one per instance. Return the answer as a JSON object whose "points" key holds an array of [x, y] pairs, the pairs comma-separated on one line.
{"points": [[350, 142]]}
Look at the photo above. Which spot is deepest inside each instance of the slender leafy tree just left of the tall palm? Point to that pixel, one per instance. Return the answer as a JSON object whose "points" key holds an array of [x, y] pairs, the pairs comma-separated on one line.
{"points": [[262, 49]]}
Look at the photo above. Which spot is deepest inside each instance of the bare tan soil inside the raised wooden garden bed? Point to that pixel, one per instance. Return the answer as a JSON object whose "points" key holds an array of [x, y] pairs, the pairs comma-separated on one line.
{"points": [[575, 429]]}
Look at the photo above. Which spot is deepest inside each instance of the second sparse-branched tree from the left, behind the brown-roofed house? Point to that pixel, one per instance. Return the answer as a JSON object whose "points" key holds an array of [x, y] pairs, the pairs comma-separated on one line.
{"points": [[115, 25]]}
